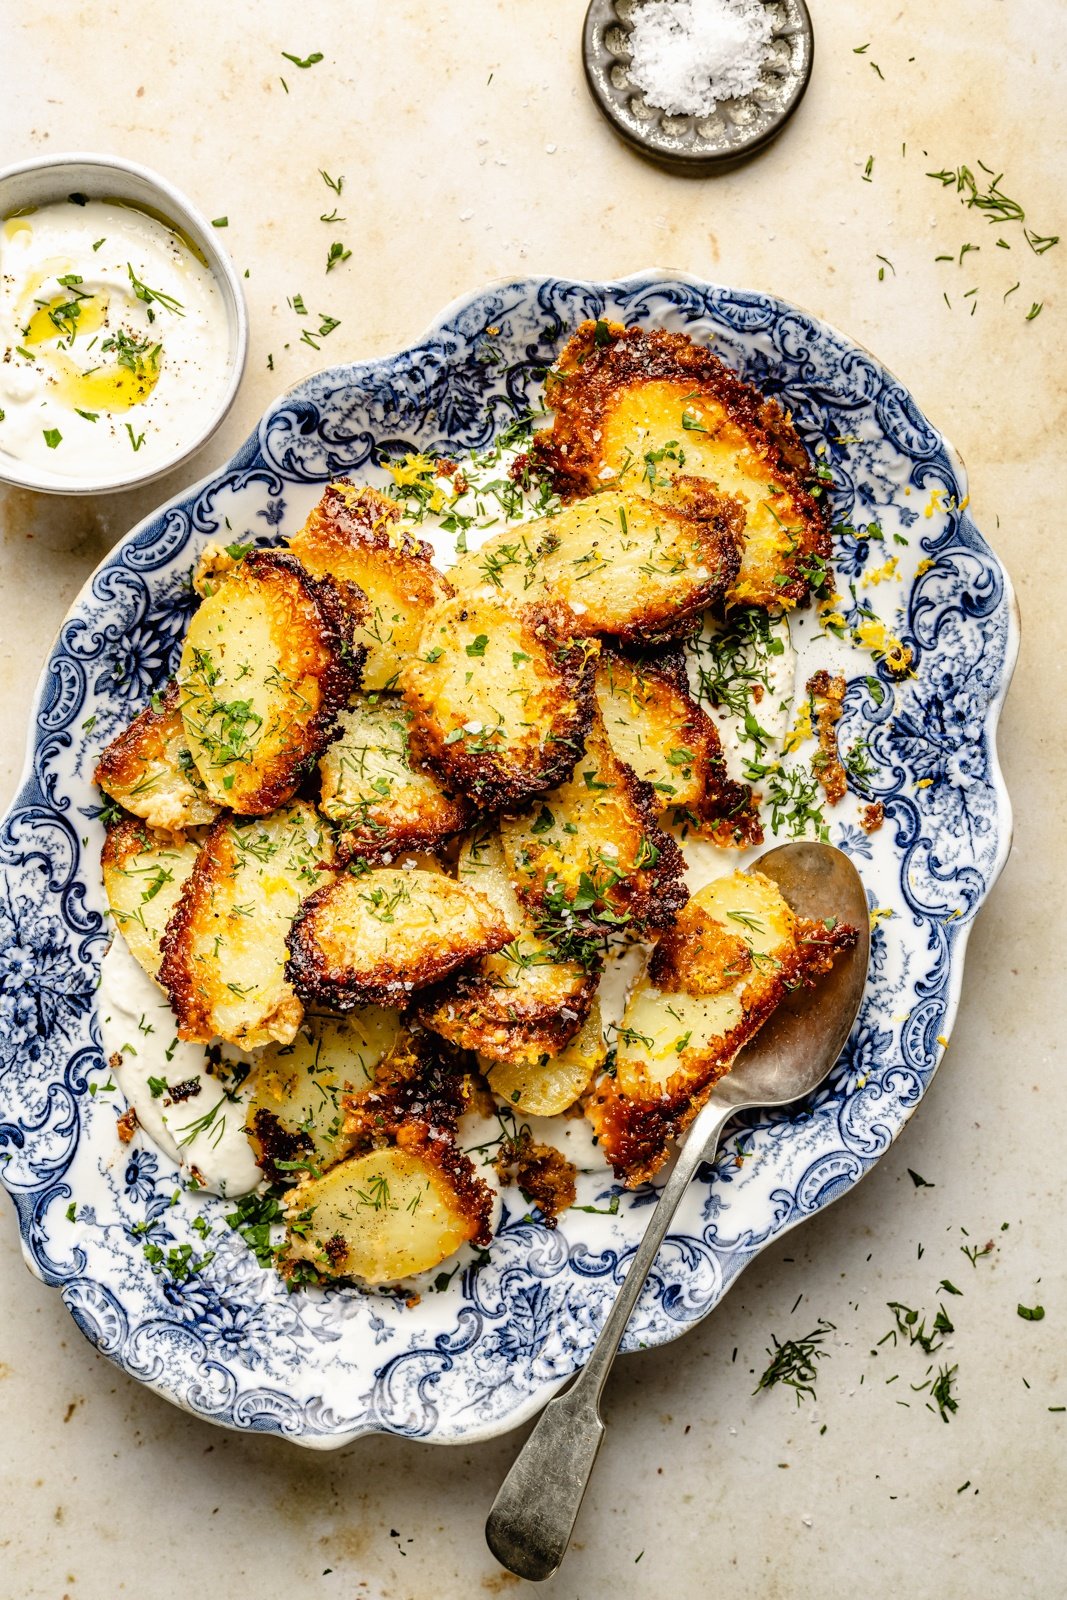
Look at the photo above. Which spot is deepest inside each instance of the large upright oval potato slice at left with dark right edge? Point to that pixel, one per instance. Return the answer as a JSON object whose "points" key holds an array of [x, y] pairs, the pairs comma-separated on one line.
{"points": [[266, 666]]}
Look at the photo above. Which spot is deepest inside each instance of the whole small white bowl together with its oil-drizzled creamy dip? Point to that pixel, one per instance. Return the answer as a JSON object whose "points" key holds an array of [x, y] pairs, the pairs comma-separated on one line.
{"points": [[122, 327]]}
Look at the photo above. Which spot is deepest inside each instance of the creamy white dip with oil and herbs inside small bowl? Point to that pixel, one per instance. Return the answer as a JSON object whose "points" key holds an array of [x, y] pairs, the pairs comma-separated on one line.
{"points": [[113, 340]]}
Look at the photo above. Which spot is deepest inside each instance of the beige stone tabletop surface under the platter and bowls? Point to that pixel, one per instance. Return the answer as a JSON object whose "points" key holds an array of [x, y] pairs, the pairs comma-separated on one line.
{"points": [[471, 150]]}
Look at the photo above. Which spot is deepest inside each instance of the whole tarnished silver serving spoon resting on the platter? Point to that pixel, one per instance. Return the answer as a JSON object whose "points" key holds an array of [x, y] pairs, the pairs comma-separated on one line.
{"points": [[533, 1516]]}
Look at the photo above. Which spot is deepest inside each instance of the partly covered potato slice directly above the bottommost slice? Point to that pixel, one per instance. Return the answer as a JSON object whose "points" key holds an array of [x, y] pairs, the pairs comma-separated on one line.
{"points": [[295, 1113]]}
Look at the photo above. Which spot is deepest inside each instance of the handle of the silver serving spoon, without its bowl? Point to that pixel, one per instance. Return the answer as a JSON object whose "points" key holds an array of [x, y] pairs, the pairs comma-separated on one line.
{"points": [[537, 1508]]}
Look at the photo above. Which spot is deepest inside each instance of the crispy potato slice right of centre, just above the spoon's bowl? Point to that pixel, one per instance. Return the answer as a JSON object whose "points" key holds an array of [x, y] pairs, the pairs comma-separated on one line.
{"points": [[657, 727]]}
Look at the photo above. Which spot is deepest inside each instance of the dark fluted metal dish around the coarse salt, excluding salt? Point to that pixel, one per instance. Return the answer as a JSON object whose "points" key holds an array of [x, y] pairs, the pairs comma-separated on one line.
{"points": [[735, 130]]}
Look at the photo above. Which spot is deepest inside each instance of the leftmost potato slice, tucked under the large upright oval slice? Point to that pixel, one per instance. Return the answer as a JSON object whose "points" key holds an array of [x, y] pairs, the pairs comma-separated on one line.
{"points": [[151, 774]]}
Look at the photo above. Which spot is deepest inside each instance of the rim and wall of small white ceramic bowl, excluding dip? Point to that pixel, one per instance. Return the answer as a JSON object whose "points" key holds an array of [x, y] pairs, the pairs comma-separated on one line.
{"points": [[111, 178]]}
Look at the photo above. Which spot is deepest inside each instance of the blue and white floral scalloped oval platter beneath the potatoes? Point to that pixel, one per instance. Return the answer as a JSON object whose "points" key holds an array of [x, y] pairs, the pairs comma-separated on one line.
{"points": [[486, 1353]]}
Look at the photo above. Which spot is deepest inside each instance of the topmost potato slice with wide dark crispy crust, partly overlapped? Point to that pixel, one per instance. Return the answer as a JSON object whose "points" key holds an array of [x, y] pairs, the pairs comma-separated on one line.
{"points": [[641, 407]]}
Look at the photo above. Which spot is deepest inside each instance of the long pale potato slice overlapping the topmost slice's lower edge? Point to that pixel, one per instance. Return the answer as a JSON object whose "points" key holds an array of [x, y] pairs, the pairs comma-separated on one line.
{"points": [[626, 566]]}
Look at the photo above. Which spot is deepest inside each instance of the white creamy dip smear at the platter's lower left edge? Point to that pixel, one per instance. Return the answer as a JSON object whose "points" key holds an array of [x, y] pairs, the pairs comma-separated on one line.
{"points": [[206, 1132]]}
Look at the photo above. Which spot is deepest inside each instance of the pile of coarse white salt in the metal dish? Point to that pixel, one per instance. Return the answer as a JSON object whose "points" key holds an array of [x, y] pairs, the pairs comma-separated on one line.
{"points": [[690, 55]]}
